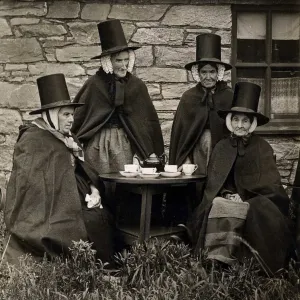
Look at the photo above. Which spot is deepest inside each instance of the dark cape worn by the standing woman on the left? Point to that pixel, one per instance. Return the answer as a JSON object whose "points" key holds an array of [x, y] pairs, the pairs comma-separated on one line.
{"points": [[102, 95]]}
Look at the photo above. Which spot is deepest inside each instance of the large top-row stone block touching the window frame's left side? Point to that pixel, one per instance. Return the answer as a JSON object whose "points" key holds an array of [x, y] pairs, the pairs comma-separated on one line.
{"points": [[211, 16]]}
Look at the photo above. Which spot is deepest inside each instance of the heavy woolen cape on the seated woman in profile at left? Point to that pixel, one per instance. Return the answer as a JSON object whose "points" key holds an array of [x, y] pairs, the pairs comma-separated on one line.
{"points": [[43, 212]]}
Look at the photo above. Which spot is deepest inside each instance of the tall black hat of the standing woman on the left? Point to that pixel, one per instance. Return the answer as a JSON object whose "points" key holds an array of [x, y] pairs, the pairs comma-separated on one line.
{"points": [[112, 38]]}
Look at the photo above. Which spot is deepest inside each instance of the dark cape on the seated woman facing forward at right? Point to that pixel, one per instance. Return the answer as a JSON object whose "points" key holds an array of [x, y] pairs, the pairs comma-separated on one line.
{"points": [[258, 182]]}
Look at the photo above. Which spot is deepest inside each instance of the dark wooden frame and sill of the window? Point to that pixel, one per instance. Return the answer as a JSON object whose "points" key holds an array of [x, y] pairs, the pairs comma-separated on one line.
{"points": [[275, 126]]}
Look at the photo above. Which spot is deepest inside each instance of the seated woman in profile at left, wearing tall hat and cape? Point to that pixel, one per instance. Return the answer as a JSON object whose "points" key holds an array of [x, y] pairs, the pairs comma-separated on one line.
{"points": [[53, 194]]}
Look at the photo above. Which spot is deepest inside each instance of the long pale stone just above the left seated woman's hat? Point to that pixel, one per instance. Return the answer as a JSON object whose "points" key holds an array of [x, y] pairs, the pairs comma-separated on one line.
{"points": [[69, 69]]}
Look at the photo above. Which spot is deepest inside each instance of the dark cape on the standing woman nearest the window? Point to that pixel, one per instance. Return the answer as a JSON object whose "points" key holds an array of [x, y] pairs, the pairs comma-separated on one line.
{"points": [[191, 117]]}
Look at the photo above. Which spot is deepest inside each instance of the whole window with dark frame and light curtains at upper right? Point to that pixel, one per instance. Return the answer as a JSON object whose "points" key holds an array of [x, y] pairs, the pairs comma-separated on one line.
{"points": [[265, 51]]}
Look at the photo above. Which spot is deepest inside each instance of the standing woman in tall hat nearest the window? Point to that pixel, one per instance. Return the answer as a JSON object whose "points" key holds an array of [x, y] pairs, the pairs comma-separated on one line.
{"points": [[197, 127]]}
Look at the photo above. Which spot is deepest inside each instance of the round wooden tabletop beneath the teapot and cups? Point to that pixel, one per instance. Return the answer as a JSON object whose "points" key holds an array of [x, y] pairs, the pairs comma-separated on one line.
{"points": [[118, 178]]}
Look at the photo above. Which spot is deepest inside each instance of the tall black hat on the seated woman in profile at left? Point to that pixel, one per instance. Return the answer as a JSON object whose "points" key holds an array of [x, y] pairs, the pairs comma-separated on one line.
{"points": [[53, 93]]}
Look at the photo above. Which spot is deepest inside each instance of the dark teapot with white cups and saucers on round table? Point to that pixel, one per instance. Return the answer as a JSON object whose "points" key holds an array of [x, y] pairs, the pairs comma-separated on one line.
{"points": [[154, 167]]}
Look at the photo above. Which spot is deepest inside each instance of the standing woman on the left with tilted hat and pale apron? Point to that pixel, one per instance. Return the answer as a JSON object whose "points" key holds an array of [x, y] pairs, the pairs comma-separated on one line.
{"points": [[118, 119]]}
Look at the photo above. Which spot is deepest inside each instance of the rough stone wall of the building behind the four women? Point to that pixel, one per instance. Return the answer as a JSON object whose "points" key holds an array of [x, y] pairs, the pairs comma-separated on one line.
{"points": [[39, 38]]}
